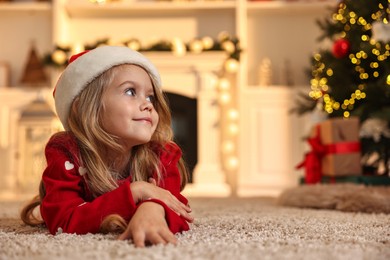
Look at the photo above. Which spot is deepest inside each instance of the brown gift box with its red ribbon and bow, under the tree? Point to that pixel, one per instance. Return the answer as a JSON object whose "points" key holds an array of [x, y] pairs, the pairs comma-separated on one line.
{"points": [[335, 150]]}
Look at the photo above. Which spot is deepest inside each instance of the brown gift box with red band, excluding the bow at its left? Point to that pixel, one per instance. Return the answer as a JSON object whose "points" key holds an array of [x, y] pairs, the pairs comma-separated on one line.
{"points": [[342, 156]]}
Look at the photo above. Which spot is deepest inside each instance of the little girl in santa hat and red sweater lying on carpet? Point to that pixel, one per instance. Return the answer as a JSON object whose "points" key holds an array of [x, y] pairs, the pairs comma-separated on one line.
{"points": [[115, 167]]}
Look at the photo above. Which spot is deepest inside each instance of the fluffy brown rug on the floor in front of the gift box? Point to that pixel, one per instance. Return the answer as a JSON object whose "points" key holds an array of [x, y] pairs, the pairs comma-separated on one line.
{"points": [[344, 197]]}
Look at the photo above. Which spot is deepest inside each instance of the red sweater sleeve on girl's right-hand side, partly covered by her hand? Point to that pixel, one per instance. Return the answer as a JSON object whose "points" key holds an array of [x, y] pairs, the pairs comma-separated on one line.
{"points": [[171, 181]]}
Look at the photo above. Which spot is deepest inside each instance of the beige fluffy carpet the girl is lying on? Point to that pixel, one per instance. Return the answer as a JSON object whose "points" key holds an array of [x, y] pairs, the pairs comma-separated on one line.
{"points": [[232, 228]]}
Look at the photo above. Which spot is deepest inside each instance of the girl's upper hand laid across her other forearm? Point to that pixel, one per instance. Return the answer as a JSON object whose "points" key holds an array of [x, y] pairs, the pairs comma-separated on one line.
{"points": [[142, 191]]}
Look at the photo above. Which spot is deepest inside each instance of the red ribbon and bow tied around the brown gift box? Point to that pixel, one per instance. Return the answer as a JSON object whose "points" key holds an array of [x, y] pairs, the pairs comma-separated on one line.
{"points": [[312, 161]]}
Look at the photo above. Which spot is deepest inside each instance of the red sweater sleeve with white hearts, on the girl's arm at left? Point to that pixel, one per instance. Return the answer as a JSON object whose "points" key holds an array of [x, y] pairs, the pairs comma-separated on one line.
{"points": [[66, 206]]}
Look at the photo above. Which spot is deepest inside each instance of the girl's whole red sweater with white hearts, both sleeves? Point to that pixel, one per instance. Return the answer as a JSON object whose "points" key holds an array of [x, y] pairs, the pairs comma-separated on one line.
{"points": [[68, 204]]}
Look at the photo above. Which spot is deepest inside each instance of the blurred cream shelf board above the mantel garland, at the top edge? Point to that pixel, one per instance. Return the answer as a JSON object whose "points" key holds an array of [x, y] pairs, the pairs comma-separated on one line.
{"points": [[114, 9]]}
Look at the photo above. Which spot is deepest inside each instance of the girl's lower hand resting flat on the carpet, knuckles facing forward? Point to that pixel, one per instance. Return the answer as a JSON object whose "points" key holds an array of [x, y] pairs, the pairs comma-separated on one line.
{"points": [[148, 225]]}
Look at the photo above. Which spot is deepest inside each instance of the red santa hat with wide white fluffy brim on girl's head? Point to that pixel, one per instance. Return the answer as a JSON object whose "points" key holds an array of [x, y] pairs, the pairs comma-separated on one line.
{"points": [[87, 66]]}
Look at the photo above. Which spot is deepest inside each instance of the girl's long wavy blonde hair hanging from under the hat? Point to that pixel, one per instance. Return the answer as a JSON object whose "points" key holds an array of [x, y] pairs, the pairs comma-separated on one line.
{"points": [[85, 123]]}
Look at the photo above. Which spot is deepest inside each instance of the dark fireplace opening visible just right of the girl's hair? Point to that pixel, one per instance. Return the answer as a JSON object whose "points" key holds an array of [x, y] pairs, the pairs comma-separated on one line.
{"points": [[184, 125]]}
